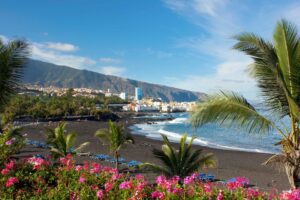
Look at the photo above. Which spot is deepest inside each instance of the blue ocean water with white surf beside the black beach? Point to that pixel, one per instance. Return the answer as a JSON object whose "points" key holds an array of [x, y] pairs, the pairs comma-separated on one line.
{"points": [[209, 135]]}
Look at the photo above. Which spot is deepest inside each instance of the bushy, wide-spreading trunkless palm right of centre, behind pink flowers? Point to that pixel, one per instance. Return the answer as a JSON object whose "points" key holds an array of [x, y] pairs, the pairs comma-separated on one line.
{"points": [[180, 162]]}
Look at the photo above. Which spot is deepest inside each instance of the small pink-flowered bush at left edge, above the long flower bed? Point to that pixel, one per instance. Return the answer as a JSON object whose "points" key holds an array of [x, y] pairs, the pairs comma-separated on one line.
{"points": [[11, 142]]}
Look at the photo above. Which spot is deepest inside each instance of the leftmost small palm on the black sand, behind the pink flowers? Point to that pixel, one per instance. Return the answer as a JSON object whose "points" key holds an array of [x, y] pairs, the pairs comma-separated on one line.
{"points": [[62, 144]]}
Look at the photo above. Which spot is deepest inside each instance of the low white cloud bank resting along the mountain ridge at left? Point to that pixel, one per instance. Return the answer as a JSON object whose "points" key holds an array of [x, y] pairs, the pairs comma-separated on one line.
{"points": [[41, 51]]}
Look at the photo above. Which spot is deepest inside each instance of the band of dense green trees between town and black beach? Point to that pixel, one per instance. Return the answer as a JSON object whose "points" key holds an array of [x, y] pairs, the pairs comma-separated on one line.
{"points": [[45, 106]]}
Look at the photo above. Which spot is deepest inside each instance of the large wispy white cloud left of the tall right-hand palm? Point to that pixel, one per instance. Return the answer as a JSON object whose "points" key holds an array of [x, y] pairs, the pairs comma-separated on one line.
{"points": [[219, 21]]}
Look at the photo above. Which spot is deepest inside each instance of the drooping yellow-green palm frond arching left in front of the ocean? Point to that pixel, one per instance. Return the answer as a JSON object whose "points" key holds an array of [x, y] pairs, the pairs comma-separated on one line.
{"points": [[231, 109]]}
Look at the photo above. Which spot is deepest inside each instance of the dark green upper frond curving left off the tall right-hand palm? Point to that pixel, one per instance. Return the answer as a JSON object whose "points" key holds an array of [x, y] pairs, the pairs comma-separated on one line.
{"points": [[265, 70]]}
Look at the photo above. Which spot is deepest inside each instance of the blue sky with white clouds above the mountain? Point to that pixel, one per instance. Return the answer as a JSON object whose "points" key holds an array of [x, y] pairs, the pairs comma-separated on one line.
{"points": [[181, 43]]}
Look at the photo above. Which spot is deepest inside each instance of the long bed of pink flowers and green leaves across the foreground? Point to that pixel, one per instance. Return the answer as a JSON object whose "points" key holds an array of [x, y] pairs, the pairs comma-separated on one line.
{"points": [[38, 178]]}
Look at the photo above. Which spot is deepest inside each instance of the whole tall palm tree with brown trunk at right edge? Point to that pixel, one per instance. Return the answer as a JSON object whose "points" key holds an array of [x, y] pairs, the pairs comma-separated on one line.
{"points": [[276, 67]]}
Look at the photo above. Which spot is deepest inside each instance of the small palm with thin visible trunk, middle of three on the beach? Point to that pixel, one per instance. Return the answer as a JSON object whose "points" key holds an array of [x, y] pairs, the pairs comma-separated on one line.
{"points": [[116, 137]]}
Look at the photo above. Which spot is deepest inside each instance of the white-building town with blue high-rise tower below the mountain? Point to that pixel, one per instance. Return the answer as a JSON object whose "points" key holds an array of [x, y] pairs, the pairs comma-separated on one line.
{"points": [[135, 103]]}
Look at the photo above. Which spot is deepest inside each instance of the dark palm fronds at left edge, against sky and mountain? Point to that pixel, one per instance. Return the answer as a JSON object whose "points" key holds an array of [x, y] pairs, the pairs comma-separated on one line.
{"points": [[13, 56]]}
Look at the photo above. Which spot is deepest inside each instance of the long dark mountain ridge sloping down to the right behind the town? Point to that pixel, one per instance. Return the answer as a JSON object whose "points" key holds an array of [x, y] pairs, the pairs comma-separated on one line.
{"points": [[48, 74]]}
